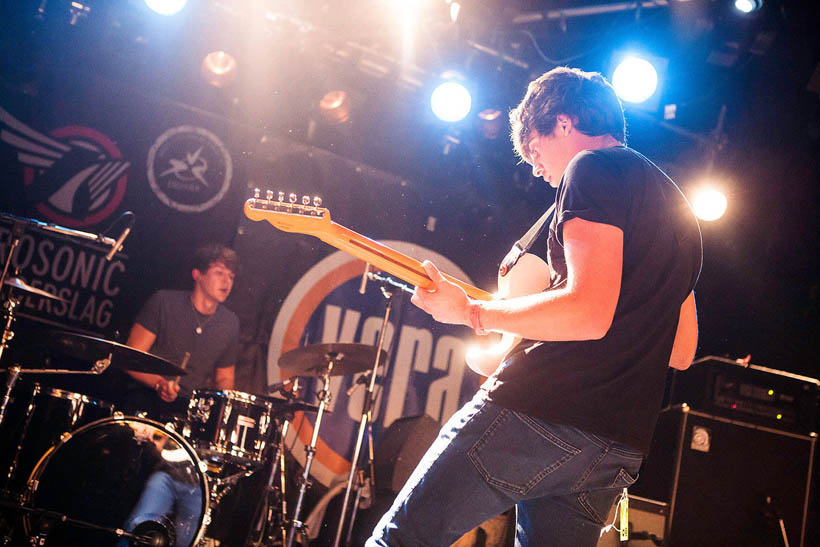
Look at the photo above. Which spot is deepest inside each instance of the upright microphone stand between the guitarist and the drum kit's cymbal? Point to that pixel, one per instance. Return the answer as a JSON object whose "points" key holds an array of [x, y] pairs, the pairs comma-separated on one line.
{"points": [[367, 407]]}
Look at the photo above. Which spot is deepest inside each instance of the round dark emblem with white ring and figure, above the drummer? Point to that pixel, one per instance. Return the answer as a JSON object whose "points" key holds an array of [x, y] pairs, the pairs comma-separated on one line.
{"points": [[189, 169]]}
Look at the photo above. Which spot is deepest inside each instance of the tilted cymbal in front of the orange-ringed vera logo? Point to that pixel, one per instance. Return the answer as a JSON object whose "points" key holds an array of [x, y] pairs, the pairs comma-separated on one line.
{"points": [[313, 360]]}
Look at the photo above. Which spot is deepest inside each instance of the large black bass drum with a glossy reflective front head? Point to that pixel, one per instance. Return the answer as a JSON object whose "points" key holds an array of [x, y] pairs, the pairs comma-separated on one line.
{"points": [[123, 473]]}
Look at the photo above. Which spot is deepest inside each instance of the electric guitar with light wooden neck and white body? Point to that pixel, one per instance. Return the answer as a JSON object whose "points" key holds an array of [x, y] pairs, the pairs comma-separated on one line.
{"points": [[529, 276]]}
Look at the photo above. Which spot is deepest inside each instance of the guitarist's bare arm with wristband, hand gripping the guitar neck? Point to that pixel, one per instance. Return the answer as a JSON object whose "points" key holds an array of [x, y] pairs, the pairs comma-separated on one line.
{"points": [[581, 310]]}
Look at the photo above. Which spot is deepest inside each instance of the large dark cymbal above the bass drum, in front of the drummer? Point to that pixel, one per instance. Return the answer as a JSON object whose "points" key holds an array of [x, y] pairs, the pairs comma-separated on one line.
{"points": [[125, 357]]}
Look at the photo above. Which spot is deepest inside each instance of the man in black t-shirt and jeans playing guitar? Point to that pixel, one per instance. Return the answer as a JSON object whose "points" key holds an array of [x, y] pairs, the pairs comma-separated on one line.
{"points": [[562, 425]]}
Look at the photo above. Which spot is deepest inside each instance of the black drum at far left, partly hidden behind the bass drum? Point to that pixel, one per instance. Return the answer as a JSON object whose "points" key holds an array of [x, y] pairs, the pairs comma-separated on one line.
{"points": [[50, 414]]}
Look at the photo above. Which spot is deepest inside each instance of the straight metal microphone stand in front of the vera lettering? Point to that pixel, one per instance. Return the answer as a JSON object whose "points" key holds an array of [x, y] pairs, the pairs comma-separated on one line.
{"points": [[390, 289]]}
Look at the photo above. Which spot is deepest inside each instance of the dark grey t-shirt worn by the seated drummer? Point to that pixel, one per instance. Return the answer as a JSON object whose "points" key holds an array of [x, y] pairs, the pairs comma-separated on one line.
{"points": [[171, 316]]}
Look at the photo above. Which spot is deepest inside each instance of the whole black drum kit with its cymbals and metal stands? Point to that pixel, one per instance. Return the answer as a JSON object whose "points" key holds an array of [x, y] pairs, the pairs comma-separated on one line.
{"points": [[76, 471]]}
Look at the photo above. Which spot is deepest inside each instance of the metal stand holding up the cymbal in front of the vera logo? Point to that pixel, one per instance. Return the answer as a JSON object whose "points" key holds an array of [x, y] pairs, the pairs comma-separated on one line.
{"points": [[267, 508]]}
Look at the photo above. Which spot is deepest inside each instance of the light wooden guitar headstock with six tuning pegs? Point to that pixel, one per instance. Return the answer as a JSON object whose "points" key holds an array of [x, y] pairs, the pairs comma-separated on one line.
{"points": [[307, 217]]}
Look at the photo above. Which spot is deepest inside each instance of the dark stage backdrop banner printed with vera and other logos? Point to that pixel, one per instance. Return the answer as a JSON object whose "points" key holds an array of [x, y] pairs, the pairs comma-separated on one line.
{"points": [[79, 152]]}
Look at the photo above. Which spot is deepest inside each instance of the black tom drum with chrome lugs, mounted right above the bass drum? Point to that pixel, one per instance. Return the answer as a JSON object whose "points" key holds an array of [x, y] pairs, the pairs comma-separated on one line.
{"points": [[228, 426]]}
